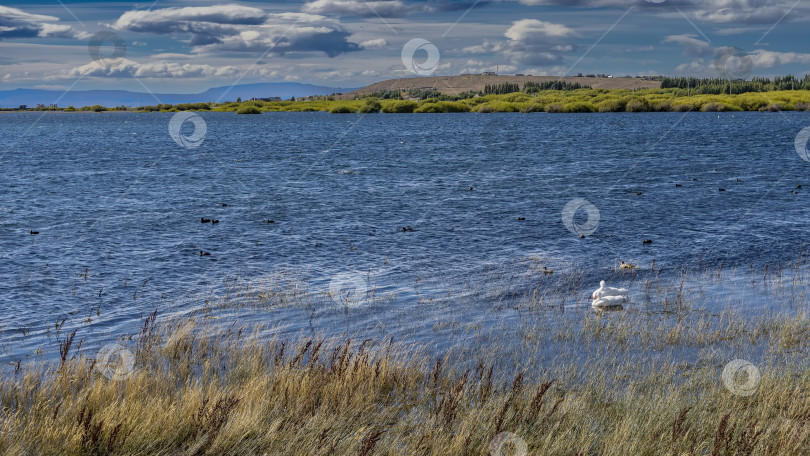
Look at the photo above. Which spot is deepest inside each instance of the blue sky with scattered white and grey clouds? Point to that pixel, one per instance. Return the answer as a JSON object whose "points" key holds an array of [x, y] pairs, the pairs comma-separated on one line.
{"points": [[191, 45]]}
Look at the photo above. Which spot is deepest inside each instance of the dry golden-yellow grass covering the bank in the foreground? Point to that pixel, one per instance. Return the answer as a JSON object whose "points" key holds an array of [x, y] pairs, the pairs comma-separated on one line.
{"points": [[194, 392]]}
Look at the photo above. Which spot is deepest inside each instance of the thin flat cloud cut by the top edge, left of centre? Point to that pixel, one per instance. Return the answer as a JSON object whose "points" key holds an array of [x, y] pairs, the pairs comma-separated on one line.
{"points": [[383, 8]]}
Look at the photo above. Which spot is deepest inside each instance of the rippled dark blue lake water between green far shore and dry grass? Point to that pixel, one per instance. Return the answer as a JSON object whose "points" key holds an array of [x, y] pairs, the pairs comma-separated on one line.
{"points": [[117, 204]]}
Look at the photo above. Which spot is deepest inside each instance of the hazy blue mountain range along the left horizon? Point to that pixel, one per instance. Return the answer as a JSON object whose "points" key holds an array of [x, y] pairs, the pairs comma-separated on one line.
{"points": [[78, 98]]}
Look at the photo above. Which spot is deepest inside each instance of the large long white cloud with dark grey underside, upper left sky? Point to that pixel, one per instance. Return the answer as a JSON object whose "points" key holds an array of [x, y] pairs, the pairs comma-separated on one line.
{"points": [[237, 28]]}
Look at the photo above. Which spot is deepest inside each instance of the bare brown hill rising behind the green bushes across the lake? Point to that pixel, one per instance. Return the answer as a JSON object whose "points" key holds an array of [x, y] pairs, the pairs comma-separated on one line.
{"points": [[454, 85]]}
